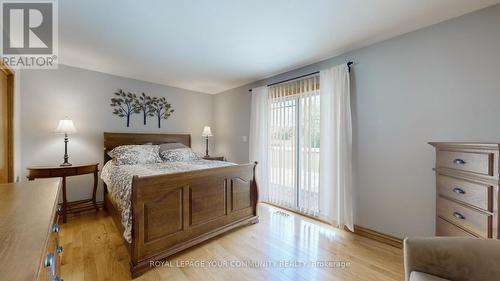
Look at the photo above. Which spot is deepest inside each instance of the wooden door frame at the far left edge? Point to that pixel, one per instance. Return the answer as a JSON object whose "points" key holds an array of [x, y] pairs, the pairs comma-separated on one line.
{"points": [[10, 120]]}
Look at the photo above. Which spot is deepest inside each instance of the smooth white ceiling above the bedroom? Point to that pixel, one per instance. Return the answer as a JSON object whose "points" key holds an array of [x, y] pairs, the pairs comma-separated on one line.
{"points": [[212, 46]]}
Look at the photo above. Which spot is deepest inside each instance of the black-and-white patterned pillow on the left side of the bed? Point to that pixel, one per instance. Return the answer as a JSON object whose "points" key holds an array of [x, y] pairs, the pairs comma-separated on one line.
{"points": [[135, 154]]}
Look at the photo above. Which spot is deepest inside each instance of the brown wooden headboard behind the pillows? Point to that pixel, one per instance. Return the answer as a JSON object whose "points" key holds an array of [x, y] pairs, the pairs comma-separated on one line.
{"points": [[112, 140]]}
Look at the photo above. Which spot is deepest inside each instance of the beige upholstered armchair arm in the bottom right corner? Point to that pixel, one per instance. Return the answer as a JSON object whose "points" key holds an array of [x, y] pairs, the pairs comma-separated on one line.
{"points": [[454, 258]]}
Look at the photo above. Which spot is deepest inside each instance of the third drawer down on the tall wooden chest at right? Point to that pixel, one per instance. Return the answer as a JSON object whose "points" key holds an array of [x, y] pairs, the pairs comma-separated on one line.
{"points": [[467, 218]]}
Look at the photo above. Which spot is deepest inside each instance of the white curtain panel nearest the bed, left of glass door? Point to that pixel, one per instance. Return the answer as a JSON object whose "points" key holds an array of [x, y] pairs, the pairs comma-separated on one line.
{"points": [[259, 138]]}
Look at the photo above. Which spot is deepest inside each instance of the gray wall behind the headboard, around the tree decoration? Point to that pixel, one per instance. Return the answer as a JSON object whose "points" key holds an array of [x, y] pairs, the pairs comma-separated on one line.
{"points": [[84, 96]]}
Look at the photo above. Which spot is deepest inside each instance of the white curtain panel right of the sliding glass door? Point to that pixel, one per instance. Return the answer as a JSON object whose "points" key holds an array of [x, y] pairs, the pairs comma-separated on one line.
{"points": [[336, 147]]}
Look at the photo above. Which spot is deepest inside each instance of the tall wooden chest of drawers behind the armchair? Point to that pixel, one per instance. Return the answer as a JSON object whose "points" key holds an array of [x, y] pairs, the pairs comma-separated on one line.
{"points": [[467, 197]]}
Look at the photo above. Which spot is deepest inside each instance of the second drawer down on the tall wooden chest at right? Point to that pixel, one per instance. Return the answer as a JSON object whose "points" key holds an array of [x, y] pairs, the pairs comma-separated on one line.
{"points": [[474, 194]]}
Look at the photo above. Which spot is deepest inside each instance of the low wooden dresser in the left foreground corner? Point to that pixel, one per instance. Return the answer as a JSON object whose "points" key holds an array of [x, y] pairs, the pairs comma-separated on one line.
{"points": [[29, 248]]}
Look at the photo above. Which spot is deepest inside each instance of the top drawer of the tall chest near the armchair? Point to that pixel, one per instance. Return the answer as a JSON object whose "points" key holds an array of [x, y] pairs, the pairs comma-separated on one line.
{"points": [[475, 162]]}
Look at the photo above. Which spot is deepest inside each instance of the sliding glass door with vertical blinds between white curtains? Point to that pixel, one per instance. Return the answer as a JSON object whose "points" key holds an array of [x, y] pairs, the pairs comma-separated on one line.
{"points": [[294, 146]]}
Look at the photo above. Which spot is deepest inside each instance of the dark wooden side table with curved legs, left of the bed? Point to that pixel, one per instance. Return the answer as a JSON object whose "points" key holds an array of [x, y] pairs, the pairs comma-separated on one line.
{"points": [[68, 171]]}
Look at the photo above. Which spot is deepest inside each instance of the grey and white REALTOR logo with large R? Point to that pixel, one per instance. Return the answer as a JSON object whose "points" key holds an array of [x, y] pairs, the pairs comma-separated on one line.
{"points": [[29, 34]]}
